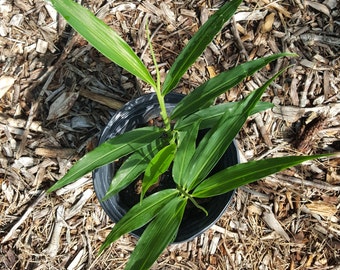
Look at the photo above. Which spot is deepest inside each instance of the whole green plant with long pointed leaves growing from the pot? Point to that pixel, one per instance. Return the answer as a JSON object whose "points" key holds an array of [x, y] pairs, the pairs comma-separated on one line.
{"points": [[192, 138]]}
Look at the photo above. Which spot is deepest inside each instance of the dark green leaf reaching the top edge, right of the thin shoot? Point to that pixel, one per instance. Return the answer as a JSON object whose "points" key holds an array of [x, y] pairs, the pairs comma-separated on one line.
{"points": [[198, 43]]}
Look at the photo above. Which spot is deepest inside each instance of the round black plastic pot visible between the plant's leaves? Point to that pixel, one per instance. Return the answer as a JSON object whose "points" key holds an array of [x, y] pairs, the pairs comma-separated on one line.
{"points": [[137, 113]]}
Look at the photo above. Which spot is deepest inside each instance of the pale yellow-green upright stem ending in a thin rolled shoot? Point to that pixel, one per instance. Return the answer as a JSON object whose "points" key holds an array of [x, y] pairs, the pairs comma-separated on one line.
{"points": [[160, 97]]}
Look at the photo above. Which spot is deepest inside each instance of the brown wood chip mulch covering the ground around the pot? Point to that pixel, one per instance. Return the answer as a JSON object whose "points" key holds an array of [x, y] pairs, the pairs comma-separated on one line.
{"points": [[57, 93]]}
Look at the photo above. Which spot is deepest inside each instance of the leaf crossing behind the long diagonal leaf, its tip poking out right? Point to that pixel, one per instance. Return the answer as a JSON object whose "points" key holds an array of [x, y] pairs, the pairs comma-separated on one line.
{"points": [[210, 116]]}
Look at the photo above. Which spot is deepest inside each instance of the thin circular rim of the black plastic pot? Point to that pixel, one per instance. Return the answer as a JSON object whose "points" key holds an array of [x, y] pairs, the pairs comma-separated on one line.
{"points": [[229, 194]]}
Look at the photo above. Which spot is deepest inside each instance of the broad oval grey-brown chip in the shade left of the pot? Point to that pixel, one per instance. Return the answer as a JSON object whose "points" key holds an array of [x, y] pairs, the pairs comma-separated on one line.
{"points": [[62, 105]]}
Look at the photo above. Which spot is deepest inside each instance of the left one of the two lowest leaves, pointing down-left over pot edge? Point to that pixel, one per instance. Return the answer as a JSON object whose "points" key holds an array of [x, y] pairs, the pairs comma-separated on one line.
{"points": [[139, 215]]}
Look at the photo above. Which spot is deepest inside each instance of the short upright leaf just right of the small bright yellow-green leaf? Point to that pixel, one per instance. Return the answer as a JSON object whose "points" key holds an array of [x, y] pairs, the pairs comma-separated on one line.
{"points": [[186, 149]]}
